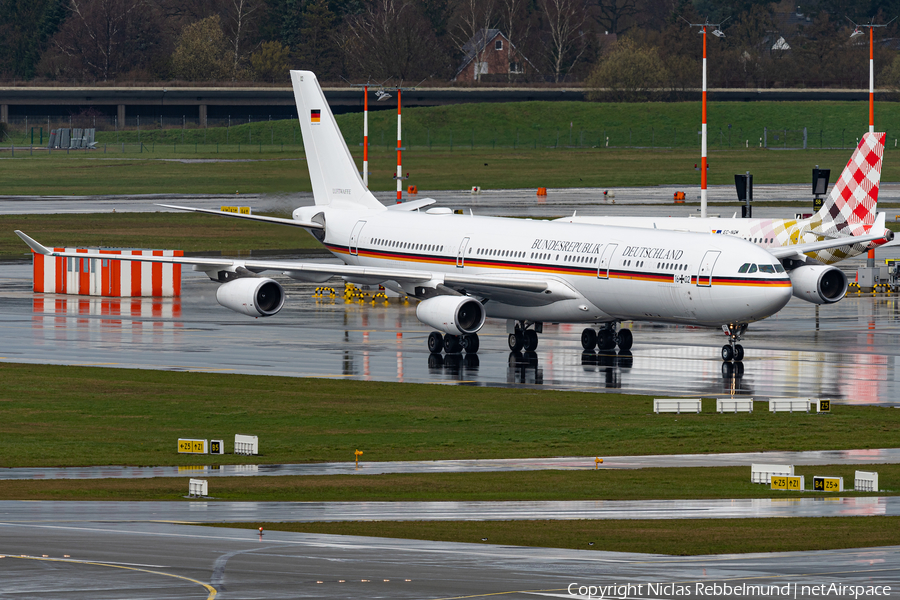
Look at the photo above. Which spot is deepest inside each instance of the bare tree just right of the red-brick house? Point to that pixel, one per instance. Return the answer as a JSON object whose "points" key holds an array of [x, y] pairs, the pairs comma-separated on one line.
{"points": [[567, 42]]}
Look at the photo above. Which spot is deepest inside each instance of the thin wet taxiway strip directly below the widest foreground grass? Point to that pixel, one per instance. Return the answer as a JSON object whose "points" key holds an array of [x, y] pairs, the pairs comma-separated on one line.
{"points": [[868, 457]]}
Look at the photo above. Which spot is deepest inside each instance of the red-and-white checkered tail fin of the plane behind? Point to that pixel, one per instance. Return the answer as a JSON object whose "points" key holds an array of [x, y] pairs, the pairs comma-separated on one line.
{"points": [[852, 203]]}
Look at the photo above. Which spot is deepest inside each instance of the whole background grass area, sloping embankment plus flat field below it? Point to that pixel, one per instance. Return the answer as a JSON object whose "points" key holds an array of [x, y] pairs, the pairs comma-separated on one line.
{"points": [[504, 145]]}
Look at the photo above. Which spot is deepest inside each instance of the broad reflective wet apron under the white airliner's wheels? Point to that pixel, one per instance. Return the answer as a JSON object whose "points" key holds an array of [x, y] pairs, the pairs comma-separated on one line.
{"points": [[848, 352]]}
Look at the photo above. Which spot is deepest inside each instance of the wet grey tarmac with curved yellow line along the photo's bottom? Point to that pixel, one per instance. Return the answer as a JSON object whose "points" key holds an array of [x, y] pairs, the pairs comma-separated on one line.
{"points": [[99, 559]]}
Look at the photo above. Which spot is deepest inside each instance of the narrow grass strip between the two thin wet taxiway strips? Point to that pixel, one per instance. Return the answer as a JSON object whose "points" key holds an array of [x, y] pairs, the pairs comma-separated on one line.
{"points": [[603, 484]]}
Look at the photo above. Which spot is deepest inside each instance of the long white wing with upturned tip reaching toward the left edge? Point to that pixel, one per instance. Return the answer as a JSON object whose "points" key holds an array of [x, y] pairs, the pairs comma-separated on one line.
{"points": [[549, 290]]}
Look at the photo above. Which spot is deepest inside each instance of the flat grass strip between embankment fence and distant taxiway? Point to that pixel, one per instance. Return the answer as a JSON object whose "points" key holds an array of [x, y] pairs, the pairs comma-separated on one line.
{"points": [[92, 174]]}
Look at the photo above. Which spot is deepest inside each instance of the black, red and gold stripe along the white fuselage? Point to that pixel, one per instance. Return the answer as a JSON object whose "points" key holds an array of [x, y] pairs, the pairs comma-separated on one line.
{"points": [[532, 267]]}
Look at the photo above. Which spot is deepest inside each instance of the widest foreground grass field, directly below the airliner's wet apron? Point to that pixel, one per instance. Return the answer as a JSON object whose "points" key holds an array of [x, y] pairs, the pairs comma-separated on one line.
{"points": [[79, 416]]}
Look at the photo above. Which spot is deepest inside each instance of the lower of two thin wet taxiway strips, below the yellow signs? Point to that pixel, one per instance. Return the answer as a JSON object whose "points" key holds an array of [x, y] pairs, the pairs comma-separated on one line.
{"points": [[212, 511]]}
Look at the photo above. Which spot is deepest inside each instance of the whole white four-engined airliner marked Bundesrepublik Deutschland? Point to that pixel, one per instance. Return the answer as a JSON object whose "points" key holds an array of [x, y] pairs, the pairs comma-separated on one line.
{"points": [[465, 268]]}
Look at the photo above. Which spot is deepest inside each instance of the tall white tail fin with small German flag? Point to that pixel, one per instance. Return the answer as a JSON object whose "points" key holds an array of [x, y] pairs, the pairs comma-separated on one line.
{"points": [[335, 178]]}
